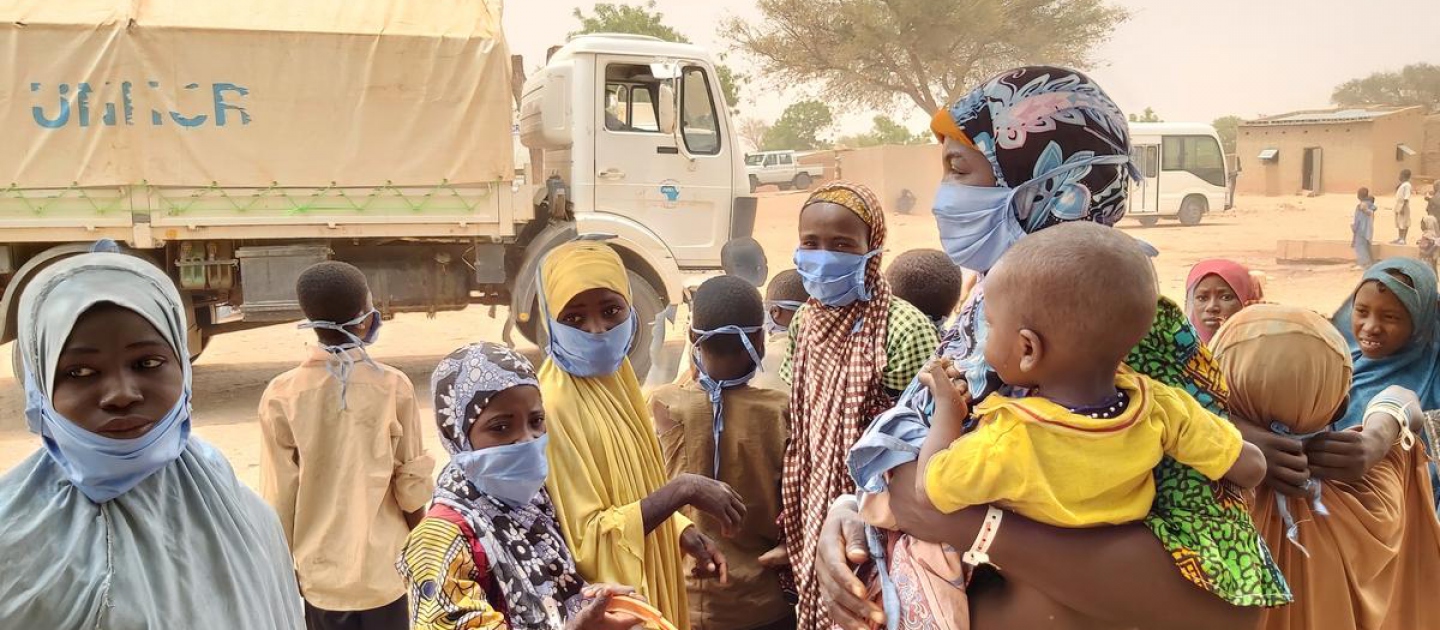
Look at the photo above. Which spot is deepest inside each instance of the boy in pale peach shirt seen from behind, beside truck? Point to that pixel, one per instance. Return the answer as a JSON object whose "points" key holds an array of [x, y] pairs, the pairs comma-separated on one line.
{"points": [[366, 478]]}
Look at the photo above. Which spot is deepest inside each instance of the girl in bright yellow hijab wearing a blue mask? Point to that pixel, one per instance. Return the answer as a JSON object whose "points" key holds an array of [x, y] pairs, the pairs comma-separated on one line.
{"points": [[608, 483]]}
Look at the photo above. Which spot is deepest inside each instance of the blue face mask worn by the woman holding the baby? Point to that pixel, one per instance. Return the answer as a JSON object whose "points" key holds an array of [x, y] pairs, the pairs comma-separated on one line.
{"points": [[978, 225]]}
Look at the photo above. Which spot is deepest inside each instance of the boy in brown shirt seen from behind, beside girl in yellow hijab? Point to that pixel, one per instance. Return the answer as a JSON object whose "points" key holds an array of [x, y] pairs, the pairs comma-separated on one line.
{"points": [[722, 428]]}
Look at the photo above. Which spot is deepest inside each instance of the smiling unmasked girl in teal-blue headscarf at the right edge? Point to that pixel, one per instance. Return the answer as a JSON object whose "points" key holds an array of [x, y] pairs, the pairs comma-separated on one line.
{"points": [[1395, 339]]}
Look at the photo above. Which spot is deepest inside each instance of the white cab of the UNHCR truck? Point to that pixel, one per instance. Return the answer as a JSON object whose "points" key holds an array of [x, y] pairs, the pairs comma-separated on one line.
{"points": [[639, 132]]}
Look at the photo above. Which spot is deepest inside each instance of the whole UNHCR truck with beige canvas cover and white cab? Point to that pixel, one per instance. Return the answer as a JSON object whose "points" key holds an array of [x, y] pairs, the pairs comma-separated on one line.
{"points": [[237, 145]]}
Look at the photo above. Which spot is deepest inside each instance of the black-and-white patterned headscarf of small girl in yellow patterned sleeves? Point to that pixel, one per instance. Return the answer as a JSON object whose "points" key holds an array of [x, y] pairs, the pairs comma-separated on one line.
{"points": [[523, 544]]}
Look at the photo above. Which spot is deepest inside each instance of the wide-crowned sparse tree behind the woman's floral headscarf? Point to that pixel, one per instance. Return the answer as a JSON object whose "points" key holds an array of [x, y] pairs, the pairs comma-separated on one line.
{"points": [[869, 54]]}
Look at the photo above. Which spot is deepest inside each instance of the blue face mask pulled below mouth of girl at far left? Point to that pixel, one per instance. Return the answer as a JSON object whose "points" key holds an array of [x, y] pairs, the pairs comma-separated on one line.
{"points": [[104, 468]]}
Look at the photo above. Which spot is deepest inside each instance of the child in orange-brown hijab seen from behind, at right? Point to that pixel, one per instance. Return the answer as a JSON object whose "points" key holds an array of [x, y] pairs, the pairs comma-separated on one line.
{"points": [[1359, 554]]}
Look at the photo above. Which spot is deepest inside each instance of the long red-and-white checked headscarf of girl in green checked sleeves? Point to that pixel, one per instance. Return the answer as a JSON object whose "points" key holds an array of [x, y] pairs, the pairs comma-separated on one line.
{"points": [[840, 355]]}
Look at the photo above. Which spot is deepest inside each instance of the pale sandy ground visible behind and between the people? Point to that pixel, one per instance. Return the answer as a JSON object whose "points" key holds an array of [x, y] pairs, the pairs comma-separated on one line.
{"points": [[234, 372]]}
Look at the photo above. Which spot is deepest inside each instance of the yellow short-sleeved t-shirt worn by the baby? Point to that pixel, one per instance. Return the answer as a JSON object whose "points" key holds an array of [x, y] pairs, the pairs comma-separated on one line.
{"points": [[1052, 465]]}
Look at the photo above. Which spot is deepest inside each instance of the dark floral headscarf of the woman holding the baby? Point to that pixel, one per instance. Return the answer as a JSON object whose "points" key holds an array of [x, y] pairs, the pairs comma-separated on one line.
{"points": [[1027, 123]]}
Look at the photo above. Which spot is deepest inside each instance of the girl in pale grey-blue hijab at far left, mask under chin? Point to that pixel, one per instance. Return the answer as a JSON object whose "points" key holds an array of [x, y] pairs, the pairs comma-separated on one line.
{"points": [[123, 520]]}
